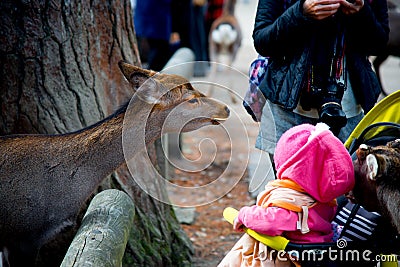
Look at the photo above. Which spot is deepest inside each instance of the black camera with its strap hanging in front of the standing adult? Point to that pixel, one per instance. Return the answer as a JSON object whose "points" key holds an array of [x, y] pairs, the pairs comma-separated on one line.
{"points": [[327, 79]]}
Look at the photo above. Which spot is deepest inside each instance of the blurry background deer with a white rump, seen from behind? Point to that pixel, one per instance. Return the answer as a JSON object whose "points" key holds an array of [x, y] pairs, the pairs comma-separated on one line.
{"points": [[224, 40]]}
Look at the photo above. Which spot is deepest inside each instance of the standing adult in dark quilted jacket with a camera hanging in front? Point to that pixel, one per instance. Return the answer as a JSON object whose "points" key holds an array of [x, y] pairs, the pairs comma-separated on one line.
{"points": [[318, 68]]}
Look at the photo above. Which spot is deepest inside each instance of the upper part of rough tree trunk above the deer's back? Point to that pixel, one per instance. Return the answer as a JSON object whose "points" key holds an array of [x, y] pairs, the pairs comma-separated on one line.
{"points": [[59, 63]]}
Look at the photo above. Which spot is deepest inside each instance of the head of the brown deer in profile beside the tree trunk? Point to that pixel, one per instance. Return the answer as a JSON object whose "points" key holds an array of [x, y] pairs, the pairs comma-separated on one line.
{"points": [[173, 97]]}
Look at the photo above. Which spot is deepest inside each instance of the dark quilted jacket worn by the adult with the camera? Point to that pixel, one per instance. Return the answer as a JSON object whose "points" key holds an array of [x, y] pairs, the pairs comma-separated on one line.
{"points": [[285, 36]]}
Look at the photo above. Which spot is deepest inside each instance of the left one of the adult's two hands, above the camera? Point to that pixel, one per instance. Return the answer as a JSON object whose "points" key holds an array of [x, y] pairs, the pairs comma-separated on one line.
{"points": [[320, 9]]}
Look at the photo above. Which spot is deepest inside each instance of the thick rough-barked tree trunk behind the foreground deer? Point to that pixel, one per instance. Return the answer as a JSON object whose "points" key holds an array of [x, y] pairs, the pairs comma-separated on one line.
{"points": [[59, 73]]}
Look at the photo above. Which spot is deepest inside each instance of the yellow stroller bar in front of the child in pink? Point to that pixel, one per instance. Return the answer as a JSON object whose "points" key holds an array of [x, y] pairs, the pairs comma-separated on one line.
{"points": [[275, 242]]}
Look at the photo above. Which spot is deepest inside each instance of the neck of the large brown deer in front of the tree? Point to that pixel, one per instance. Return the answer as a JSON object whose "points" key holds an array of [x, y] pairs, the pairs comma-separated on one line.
{"points": [[105, 140]]}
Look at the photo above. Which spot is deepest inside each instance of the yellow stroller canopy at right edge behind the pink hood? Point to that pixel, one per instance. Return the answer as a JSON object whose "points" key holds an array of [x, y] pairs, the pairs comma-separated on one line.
{"points": [[387, 110]]}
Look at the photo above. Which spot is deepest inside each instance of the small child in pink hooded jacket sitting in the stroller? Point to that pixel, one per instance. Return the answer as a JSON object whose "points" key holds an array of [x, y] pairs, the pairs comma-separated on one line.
{"points": [[313, 169]]}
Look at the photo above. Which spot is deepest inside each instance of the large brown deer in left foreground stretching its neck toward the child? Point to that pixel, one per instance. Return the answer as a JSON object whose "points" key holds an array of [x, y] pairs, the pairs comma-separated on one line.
{"points": [[45, 180]]}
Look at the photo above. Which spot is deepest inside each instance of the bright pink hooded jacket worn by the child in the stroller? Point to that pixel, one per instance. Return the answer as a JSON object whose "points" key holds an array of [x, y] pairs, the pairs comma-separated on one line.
{"points": [[318, 162]]}
